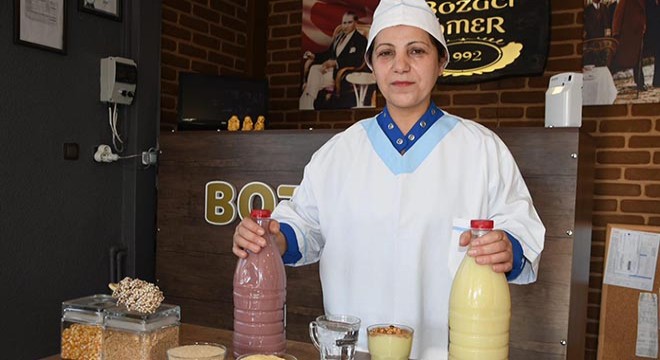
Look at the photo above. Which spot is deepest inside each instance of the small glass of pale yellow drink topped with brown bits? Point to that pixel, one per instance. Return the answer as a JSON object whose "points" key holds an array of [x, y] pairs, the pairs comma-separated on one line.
{"points": [[389, 341]]}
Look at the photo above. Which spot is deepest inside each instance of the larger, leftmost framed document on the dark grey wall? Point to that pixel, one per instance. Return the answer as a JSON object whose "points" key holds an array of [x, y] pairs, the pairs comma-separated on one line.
{"points": [[41, 24]]}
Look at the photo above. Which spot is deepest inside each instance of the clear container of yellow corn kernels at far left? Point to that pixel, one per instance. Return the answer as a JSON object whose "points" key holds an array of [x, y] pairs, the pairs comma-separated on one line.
{"points": [[82, 327]]}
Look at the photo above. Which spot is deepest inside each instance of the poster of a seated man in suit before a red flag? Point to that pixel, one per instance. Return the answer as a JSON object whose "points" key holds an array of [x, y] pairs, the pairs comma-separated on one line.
{"points": [[334, 39]]}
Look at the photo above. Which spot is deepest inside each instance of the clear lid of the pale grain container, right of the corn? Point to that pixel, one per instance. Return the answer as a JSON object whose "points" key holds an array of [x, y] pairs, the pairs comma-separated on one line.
{"points": [[118, 317]]}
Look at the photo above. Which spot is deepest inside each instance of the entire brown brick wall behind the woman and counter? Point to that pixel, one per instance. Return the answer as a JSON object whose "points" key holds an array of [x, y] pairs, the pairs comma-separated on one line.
{"points": [[211, 39]]}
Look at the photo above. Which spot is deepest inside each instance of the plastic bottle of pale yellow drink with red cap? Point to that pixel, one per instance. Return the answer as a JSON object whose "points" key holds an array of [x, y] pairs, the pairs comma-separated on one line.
{"points": [[479, 308]]}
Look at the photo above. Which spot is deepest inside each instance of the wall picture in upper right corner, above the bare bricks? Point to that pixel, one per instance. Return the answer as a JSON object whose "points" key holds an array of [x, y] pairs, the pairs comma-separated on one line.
{"points": [[621, 52]]}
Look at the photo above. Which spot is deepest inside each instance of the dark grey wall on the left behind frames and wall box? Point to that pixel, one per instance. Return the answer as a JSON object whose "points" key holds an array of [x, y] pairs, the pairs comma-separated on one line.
{"points": [[59, 217]]}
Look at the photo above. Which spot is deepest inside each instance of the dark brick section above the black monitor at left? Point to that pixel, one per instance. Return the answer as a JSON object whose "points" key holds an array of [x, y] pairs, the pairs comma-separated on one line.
{"points": [[200, 36]]}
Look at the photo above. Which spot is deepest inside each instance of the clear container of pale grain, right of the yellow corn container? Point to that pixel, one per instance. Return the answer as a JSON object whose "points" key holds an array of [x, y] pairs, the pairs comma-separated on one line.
{"points": [[130, 334]]}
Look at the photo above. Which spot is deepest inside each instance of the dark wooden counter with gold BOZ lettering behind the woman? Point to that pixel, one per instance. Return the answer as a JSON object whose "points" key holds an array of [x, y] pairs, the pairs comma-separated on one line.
{"points": [[195, 264]]}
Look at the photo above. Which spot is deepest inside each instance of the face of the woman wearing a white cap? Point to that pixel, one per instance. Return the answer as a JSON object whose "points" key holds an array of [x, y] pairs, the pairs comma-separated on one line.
{"points": [[406, 65]]}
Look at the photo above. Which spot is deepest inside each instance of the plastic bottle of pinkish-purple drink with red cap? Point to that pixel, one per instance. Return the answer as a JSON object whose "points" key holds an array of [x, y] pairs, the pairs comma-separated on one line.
{"points": [[260, 297]]}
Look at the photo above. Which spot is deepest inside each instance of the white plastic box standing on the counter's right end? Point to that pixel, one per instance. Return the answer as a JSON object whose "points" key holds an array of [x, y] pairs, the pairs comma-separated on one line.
{"points": [[563, 101]]}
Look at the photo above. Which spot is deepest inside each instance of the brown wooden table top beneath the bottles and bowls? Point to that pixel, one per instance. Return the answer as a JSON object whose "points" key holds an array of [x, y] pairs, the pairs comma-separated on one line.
{"points": [[190, 333]]}
